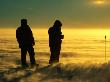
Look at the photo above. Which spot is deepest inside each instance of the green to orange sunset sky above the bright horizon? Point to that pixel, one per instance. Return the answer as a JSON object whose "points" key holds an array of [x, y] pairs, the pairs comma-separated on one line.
{"points": [[43, 13]]}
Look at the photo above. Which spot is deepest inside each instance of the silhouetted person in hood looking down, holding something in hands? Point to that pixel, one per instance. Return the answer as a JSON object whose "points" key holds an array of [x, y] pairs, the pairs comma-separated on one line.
{"points": [[55, 40]]}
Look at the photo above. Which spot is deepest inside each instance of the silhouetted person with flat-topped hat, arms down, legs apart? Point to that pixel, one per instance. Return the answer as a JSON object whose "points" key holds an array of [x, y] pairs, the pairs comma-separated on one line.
{"points": [[26, 42]]}
